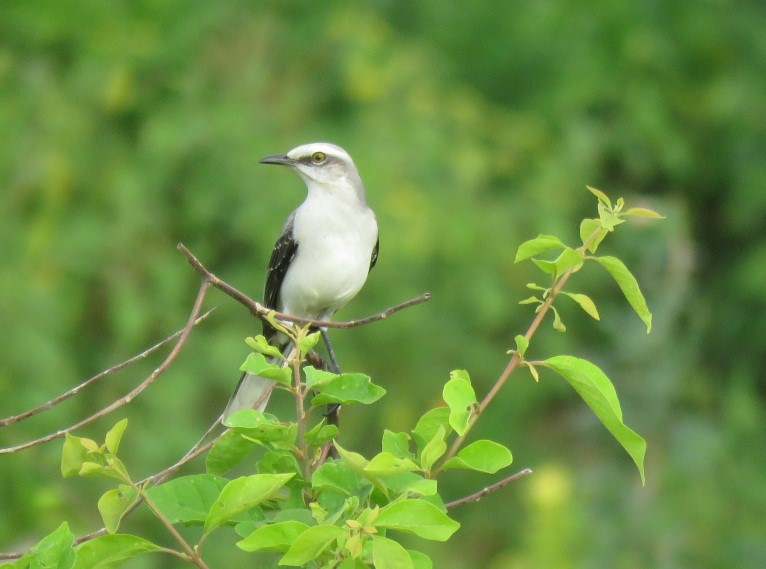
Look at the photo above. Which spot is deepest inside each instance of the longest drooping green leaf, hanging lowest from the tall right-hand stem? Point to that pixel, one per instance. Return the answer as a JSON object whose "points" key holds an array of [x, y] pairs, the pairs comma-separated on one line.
{"points": [[598, 393]]}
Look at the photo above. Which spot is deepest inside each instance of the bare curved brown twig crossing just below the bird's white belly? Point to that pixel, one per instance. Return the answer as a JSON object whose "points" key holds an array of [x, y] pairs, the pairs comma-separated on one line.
{"points": [[261, 311]]}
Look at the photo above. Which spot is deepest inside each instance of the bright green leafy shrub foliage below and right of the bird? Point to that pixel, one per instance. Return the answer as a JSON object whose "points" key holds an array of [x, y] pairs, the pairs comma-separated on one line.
{"points": [[310, 510]]}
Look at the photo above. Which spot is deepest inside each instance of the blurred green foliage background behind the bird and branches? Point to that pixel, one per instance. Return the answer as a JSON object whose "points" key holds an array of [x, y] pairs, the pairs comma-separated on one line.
{"points": [[128, 127]]}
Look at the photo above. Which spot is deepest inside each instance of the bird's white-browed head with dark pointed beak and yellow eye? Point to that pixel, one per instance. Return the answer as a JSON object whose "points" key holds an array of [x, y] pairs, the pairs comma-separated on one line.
{"points": [[320, 164]]}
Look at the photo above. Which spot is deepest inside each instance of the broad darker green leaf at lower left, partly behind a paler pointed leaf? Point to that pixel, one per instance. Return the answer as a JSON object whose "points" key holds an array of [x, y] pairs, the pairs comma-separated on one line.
{"points": [[188, 499]]}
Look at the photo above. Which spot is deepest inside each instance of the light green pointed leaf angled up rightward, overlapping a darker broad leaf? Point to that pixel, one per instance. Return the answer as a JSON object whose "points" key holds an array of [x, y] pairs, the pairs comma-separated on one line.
{"points": [[242, 494]]}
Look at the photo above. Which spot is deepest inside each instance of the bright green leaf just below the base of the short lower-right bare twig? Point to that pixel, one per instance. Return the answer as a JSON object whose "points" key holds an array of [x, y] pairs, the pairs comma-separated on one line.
{"points": [[418, 517]]}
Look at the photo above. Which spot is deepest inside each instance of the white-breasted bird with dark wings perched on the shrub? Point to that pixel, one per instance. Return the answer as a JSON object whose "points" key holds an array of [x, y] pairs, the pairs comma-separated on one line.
{"points": [[325, 251]]}
